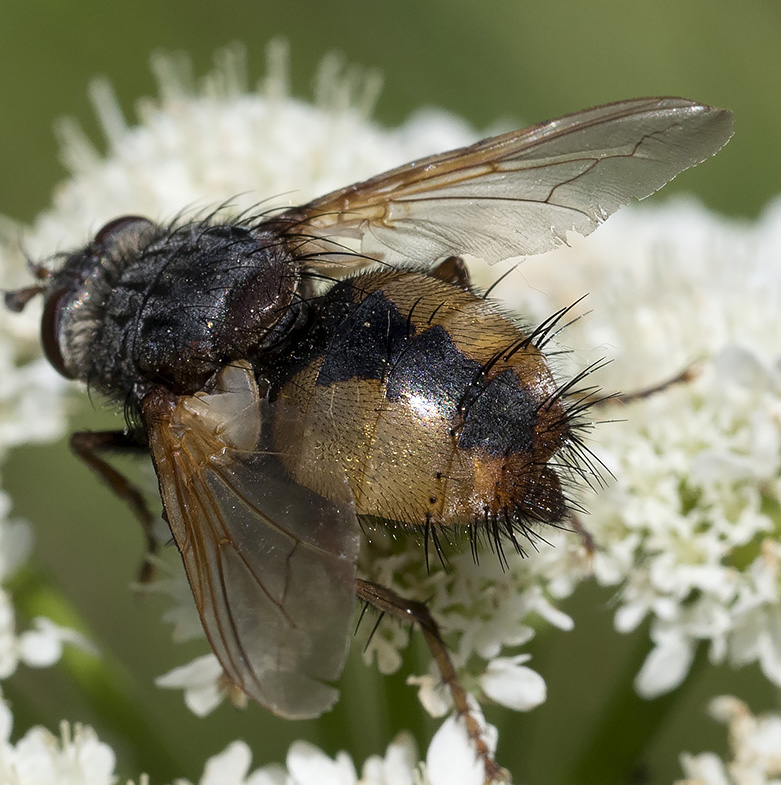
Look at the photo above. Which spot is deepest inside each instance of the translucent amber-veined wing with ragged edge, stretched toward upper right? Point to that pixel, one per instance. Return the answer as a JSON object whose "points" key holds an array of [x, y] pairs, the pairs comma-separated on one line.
{"points": [[519, 193]]}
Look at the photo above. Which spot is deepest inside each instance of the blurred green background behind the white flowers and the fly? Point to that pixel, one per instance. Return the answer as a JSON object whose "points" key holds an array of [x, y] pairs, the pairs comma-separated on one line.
{"points": [[502, 60]]}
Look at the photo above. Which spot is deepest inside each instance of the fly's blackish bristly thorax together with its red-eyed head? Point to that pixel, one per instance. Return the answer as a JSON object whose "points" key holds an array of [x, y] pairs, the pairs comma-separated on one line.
{"points": [[144, 305]]}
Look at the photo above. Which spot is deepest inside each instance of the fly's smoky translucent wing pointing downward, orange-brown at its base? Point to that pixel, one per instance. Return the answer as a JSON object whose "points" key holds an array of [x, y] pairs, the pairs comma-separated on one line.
{"points": [[271, 564]]}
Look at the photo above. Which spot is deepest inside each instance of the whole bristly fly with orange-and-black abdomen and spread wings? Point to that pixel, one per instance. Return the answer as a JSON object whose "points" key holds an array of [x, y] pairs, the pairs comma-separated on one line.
{"points": [[295, 374]]}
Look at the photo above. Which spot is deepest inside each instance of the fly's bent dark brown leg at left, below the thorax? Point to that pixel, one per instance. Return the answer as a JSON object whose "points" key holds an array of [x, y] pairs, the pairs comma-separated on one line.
{"points": [[87, 445]]}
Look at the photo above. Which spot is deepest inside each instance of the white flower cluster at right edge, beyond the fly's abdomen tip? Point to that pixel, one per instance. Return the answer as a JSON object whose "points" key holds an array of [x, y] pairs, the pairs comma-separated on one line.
{"points": [[689, 528]]}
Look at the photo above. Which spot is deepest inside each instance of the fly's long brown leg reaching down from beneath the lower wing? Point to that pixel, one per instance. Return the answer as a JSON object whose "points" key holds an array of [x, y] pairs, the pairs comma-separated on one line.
{"points": [[411, 610]]}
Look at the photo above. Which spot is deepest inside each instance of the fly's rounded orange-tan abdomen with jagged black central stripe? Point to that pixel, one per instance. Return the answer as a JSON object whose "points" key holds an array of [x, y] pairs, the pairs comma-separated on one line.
{"points": [[432, 406]]}
